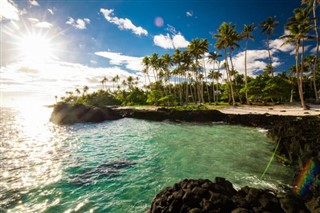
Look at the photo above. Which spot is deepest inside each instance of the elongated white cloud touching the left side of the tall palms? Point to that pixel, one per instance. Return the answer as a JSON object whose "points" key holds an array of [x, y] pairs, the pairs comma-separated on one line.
{"points": [[130, 62]]}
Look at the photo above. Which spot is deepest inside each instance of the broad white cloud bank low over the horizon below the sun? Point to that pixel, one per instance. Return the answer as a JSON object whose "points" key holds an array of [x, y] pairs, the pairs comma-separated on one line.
{"points": [[54, 78]]}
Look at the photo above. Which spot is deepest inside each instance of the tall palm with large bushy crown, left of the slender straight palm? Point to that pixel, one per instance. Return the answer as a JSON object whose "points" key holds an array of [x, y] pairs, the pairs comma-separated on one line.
{"points": [[226, 38]]}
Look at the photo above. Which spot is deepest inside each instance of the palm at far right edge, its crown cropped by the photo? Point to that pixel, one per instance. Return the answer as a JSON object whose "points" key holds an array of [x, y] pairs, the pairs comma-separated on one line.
{"points": [[315, 4]]}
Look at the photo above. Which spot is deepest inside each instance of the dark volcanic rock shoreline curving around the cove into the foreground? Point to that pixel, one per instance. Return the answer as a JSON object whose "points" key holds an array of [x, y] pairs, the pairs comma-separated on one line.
{"points": [[298, 139]]}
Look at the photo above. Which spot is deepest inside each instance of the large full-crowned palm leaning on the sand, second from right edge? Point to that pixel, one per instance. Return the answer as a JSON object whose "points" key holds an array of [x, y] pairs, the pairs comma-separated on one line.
{"points": [[298, 26]]}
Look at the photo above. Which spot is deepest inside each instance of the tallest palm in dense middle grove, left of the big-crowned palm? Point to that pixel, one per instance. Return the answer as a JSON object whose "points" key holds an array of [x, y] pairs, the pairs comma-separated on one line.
{"points": [[197, 48]]}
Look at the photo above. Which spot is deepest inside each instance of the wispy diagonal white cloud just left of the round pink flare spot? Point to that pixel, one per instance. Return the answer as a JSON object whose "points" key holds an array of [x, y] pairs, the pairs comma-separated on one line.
{"points": [[123, 23]]}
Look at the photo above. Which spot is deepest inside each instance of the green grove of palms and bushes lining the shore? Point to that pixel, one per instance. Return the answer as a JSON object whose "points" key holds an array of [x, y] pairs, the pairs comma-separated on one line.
{"points": [[196, 76]]}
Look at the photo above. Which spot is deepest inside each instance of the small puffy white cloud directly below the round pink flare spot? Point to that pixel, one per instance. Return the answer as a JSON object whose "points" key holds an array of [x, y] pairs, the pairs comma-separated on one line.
{"points": [[170, 42]]}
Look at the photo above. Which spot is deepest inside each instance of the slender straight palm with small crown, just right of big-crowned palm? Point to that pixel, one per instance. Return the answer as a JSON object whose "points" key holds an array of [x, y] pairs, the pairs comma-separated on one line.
{"points": [[247, 34]]}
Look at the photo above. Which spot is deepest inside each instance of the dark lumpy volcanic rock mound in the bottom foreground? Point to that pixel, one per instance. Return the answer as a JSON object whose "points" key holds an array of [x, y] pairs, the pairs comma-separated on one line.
{"points": [[227, 200]]}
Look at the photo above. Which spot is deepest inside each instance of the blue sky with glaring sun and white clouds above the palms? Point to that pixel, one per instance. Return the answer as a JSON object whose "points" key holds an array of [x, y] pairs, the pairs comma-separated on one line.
{"points": [[75, 43]]}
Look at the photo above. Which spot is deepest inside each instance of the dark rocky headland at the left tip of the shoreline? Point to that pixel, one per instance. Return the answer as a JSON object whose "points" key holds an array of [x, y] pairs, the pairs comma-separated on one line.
{"points": [[70, 114]]}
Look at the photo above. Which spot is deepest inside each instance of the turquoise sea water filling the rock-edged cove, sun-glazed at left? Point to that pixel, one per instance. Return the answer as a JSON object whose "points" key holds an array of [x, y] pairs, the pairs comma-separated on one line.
{"points": [[119, 166]]}
